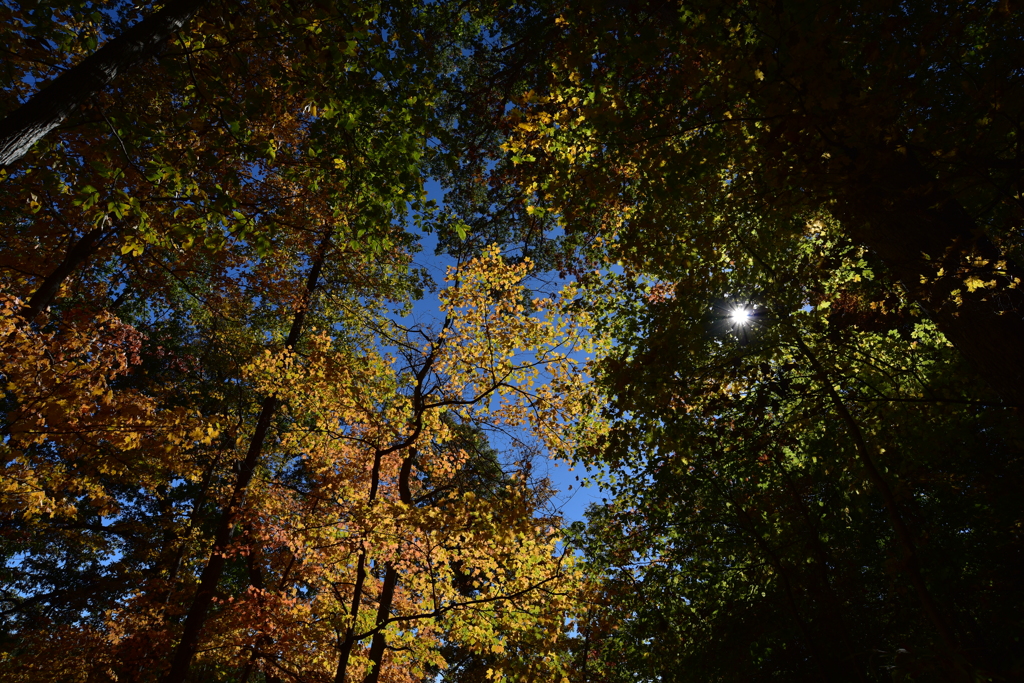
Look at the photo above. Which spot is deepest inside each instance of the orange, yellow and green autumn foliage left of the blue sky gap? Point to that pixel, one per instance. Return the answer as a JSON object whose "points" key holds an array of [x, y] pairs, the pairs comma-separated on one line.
{"points": [[224, 458]]}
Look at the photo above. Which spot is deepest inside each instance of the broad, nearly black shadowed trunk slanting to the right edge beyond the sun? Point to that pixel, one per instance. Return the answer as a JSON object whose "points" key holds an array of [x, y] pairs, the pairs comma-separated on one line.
{"points": [[900, 212]]}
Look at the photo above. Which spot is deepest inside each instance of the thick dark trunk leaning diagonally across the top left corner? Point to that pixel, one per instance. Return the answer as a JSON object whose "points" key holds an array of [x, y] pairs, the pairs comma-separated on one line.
{"points": [[49, 108]]}
